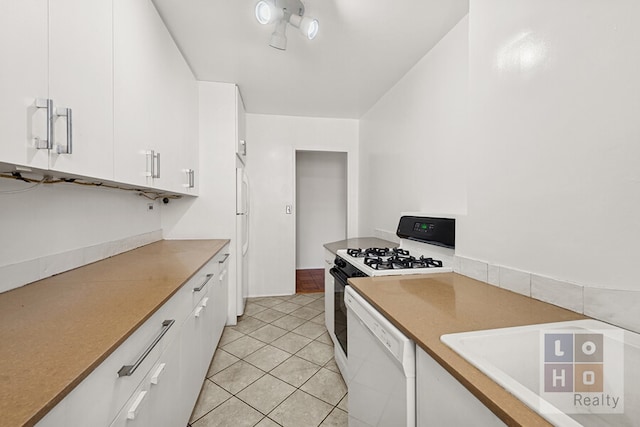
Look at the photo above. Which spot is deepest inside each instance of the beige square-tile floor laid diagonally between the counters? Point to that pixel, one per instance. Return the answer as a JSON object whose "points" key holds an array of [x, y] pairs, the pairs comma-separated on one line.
{"points": [[274, 368]]}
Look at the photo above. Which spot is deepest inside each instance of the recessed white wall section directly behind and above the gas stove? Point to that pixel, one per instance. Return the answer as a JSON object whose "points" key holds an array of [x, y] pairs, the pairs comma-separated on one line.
{"points": [[412, 142]]}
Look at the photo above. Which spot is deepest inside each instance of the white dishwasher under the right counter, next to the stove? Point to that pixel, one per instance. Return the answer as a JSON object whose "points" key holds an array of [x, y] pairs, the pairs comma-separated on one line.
{"points": [[382, 368]]}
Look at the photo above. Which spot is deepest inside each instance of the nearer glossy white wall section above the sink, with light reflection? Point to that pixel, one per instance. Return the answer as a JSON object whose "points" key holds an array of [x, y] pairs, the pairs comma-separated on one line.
{"points": [[555, 119]]}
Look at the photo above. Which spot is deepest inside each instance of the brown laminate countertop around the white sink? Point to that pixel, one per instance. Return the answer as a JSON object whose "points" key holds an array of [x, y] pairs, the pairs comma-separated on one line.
{"points": [[425, 307]]}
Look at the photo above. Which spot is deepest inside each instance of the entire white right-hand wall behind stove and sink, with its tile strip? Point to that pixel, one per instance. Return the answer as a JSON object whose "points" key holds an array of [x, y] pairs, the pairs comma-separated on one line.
{"points": [[545, 181]]}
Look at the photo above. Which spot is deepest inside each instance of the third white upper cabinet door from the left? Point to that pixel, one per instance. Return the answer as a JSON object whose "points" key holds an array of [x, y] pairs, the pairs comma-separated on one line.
{"points": [[138, 53]]}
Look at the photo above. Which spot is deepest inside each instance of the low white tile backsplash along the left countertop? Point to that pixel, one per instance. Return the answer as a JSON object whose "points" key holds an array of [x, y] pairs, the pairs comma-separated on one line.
{"points": [[20, 274]]}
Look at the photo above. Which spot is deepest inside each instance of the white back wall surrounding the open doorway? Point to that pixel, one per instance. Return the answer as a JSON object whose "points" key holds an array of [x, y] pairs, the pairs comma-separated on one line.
{"points": [[274, 140]]}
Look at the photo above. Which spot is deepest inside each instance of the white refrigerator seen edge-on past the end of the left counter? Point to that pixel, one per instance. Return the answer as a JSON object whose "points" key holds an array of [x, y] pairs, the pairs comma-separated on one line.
{"points": [[242, 237]]}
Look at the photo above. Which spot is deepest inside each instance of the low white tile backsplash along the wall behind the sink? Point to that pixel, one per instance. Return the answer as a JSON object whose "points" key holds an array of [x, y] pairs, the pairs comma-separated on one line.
{"points": [[618, 307]]}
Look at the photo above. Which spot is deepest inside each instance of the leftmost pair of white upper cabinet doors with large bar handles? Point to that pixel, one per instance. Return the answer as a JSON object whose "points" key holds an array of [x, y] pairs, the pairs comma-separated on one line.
{"points": [[59, 51]]}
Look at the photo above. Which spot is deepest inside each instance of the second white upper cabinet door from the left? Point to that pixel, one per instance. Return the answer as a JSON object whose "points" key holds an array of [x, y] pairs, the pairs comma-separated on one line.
{"points": [[80, 78]]}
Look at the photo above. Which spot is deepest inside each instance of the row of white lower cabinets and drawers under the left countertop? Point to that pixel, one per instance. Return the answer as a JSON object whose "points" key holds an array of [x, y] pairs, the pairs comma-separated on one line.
{"points": [[155, 376]]}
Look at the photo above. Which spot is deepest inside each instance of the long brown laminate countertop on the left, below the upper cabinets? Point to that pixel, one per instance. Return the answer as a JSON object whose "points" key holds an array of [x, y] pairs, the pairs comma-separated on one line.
{"points": [[54, 332]]}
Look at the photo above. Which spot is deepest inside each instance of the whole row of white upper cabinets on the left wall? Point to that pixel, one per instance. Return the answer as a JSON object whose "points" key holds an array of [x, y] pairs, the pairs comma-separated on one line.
{"points": [[97, 89]]}
